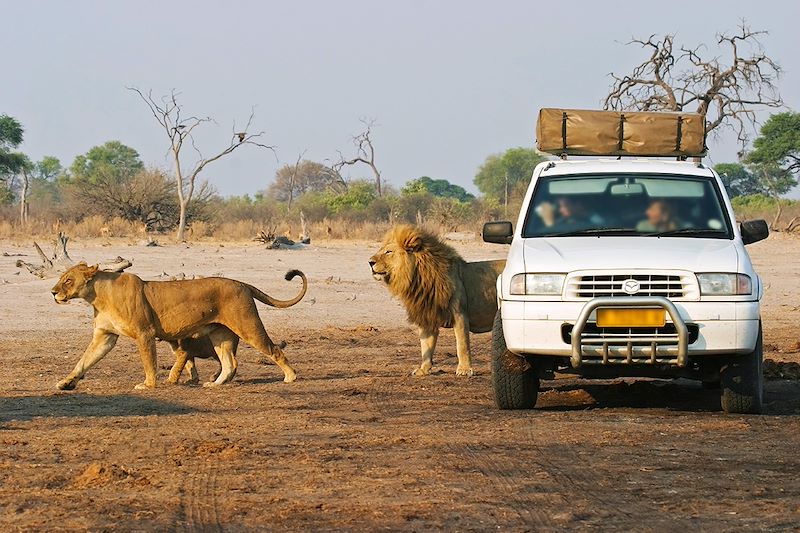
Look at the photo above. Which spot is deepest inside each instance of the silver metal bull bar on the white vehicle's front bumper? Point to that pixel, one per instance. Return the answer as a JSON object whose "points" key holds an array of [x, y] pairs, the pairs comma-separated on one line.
{"points": [[630, 301]]}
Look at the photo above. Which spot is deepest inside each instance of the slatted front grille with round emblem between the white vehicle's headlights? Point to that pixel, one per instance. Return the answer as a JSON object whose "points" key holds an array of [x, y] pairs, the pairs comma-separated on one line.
{"points": [[672, 285]]}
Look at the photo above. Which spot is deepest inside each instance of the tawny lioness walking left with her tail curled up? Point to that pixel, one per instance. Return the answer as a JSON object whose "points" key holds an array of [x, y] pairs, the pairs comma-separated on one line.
{"points": [[221, 308]]}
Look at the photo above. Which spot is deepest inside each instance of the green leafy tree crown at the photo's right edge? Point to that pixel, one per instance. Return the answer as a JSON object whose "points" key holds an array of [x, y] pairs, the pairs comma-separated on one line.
{"points": [[778, 143]]}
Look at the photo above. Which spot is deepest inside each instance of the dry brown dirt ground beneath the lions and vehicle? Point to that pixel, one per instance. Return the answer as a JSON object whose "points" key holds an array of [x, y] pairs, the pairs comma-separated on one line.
{"points": [[356, 444]]}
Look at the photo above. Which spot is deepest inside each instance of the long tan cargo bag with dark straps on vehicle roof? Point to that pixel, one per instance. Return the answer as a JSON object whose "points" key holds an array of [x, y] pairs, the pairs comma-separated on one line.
{"points": [[637, 133]]}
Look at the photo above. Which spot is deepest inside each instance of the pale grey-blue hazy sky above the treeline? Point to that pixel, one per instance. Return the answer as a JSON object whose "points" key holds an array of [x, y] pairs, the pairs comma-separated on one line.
{"points": [[448, 82]]}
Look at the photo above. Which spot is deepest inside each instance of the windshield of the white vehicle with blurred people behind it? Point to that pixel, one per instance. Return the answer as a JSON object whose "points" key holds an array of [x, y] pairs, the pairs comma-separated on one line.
{"points": [[654, 205]]}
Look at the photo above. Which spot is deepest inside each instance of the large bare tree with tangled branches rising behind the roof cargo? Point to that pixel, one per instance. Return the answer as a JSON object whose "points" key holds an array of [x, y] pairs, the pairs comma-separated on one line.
{"points": [[728, 94]]}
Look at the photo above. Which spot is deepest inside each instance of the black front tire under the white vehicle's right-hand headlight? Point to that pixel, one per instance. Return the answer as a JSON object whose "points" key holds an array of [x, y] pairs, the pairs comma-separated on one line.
{"points": [[742, 381]]}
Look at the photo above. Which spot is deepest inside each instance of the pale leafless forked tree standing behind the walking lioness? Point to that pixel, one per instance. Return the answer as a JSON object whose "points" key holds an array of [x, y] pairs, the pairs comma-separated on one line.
{"points": [[169, 114]]}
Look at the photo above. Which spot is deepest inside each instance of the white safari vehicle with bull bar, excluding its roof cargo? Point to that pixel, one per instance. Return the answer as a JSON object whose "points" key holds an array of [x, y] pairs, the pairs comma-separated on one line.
{"points": [[628, 267]]}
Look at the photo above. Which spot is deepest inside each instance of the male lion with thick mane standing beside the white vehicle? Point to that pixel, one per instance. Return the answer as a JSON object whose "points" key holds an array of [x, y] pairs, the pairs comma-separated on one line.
{"points": [[438, 289]]}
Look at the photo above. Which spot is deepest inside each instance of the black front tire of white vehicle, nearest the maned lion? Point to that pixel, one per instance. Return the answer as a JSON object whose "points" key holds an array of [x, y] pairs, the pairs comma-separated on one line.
{"points": [[514, 379]]}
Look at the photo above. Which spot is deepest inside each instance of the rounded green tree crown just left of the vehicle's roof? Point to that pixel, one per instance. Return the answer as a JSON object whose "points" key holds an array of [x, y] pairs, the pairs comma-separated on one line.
{"points": [[509, 172]]}
